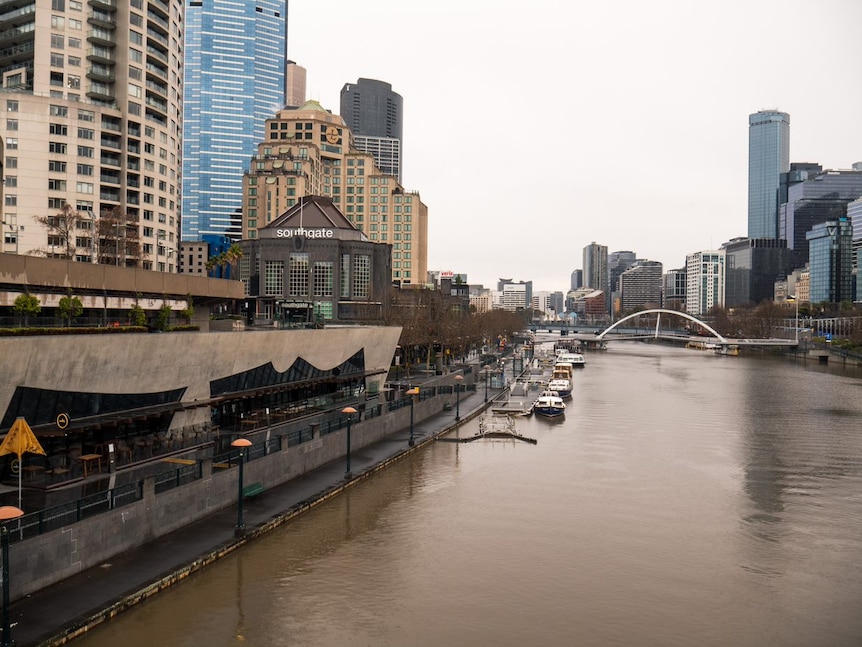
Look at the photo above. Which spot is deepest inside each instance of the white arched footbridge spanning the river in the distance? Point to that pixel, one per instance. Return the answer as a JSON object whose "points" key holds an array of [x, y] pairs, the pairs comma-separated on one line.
{"points": [[624, 330]]}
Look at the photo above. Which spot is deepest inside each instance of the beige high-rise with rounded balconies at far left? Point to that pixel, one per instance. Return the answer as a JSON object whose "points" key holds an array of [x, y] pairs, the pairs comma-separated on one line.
{"points": [[91, 127]]}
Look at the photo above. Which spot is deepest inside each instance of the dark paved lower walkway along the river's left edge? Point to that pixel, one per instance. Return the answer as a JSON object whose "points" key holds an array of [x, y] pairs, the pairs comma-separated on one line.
{"points": [[59, 613]]}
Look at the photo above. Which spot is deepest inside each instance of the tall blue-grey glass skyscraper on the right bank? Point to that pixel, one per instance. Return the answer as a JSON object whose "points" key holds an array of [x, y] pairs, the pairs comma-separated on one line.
{"points": [[768, 158]]}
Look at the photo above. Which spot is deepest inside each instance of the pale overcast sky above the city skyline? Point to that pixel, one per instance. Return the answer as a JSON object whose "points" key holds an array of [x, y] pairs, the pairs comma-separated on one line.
{"points": [[627, 120]]}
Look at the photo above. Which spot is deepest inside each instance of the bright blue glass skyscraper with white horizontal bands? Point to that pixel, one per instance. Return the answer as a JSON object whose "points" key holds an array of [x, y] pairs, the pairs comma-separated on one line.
{"points": [[235, 63]]}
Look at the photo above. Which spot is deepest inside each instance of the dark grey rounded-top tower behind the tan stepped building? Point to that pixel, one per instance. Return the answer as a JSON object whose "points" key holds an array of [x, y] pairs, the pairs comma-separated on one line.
{"points": [[374, 114]]}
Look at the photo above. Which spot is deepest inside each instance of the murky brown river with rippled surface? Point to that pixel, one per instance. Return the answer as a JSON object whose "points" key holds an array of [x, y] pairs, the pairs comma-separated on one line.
{"points": [[685, 499]]}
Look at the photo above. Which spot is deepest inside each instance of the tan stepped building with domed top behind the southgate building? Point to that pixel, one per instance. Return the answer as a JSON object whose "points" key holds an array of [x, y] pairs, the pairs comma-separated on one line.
{"points": [[309, 151]]}
